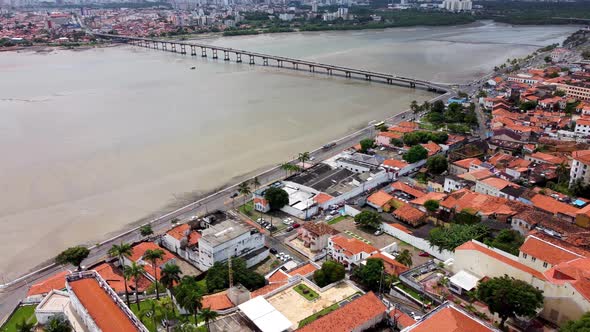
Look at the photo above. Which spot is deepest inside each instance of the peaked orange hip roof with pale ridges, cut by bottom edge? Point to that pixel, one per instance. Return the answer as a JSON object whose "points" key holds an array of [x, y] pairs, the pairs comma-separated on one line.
{"points": [[450, 319]]}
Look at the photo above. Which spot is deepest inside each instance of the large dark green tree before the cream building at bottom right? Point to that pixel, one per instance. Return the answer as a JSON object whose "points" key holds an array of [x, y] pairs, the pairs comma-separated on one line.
{"points": [[509, 297]]}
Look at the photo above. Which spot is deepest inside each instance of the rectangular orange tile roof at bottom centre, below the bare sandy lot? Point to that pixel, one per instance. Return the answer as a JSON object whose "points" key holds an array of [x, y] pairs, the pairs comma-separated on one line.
{"points": [[349, 317]]}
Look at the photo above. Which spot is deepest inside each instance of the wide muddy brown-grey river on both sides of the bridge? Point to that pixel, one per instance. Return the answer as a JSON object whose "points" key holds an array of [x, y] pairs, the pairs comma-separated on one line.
{"points": [[94, 140]]}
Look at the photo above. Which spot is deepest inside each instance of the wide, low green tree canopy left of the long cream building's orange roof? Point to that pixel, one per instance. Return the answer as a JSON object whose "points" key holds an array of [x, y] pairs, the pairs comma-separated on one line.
{"points": [[451, 237]]}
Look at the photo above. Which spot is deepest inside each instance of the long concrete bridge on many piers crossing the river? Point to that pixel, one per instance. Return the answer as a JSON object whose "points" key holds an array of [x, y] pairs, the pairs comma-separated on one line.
{"points": [[237, 55]]}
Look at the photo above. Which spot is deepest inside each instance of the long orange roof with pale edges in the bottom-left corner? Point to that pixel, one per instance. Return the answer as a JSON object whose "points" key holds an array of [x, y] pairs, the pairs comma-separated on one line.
{"points": [[107, 315]]}
